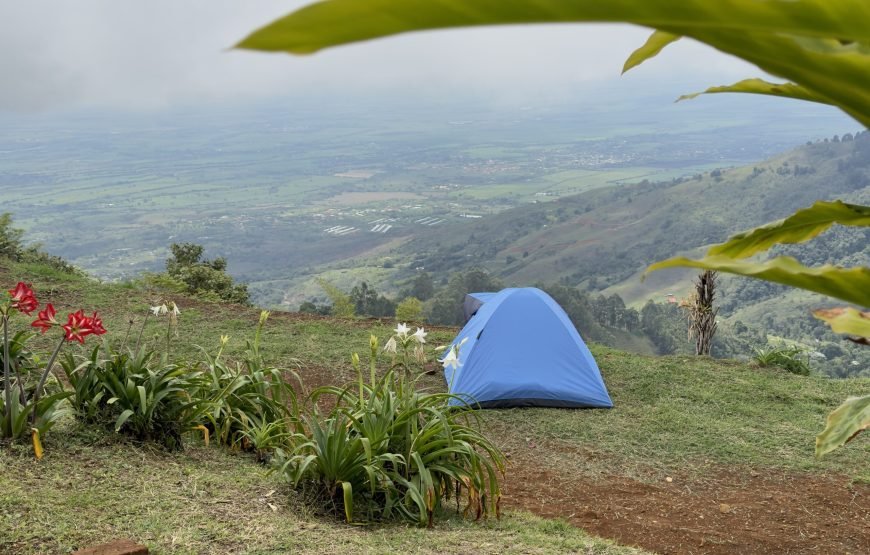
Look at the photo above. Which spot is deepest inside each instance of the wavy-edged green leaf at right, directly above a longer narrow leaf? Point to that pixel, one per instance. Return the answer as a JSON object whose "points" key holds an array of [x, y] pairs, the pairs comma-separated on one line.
{"points": [[797, 228]]}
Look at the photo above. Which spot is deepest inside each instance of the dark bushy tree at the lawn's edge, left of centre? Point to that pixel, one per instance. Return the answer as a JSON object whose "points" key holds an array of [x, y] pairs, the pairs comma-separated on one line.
{"points": [[204, 278]]}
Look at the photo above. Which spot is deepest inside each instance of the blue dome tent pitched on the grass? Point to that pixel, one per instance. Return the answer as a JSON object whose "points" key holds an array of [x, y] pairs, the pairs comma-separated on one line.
{"points": [[520, 349]]}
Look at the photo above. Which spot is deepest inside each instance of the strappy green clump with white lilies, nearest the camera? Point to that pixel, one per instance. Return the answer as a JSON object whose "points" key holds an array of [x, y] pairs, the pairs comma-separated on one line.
{"points": [[387, 449]]}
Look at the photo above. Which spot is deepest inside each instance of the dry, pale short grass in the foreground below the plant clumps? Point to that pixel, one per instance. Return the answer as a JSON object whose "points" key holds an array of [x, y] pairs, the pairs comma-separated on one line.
{"points": [[91, 488]]}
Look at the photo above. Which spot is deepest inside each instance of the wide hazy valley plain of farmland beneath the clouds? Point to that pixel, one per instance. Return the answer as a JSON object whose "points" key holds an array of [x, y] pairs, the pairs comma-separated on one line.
{"points": [[267, 188]]}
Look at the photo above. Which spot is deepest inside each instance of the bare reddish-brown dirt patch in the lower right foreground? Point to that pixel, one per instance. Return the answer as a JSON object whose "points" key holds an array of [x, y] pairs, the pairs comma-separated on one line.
{"points": [[724, 512]]}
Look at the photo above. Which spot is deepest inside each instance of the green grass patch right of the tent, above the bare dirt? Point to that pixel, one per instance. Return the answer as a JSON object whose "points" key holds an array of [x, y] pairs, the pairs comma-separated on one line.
{"points": [[685, 414]]}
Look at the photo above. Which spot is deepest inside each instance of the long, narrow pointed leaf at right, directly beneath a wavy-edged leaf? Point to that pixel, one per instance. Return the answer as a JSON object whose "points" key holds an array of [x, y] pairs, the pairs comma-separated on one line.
{"points": [[848, 284]]}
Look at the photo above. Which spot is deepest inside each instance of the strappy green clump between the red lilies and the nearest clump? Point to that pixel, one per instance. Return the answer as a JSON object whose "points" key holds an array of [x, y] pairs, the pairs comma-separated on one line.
{"points": [[143, 394]]}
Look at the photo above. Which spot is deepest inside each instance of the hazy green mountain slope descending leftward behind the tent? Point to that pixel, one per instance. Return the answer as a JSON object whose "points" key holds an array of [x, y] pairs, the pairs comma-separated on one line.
{"points": [[605, 237]]}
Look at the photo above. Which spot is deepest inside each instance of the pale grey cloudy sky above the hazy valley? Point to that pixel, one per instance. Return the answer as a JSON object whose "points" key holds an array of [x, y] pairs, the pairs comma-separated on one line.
{"points": [[161, 53]]}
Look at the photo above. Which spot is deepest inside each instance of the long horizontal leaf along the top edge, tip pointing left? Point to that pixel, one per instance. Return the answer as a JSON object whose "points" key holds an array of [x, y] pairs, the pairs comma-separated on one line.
{"points": [[336, 22]]}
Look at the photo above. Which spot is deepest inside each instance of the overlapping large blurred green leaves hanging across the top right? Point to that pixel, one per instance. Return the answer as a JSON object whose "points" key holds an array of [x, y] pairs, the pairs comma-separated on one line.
{"points": [[823, 46]]}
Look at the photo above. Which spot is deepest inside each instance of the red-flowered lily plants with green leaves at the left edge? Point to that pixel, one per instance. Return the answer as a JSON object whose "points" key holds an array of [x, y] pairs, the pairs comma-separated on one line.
{"points": [[27, 405]]}
